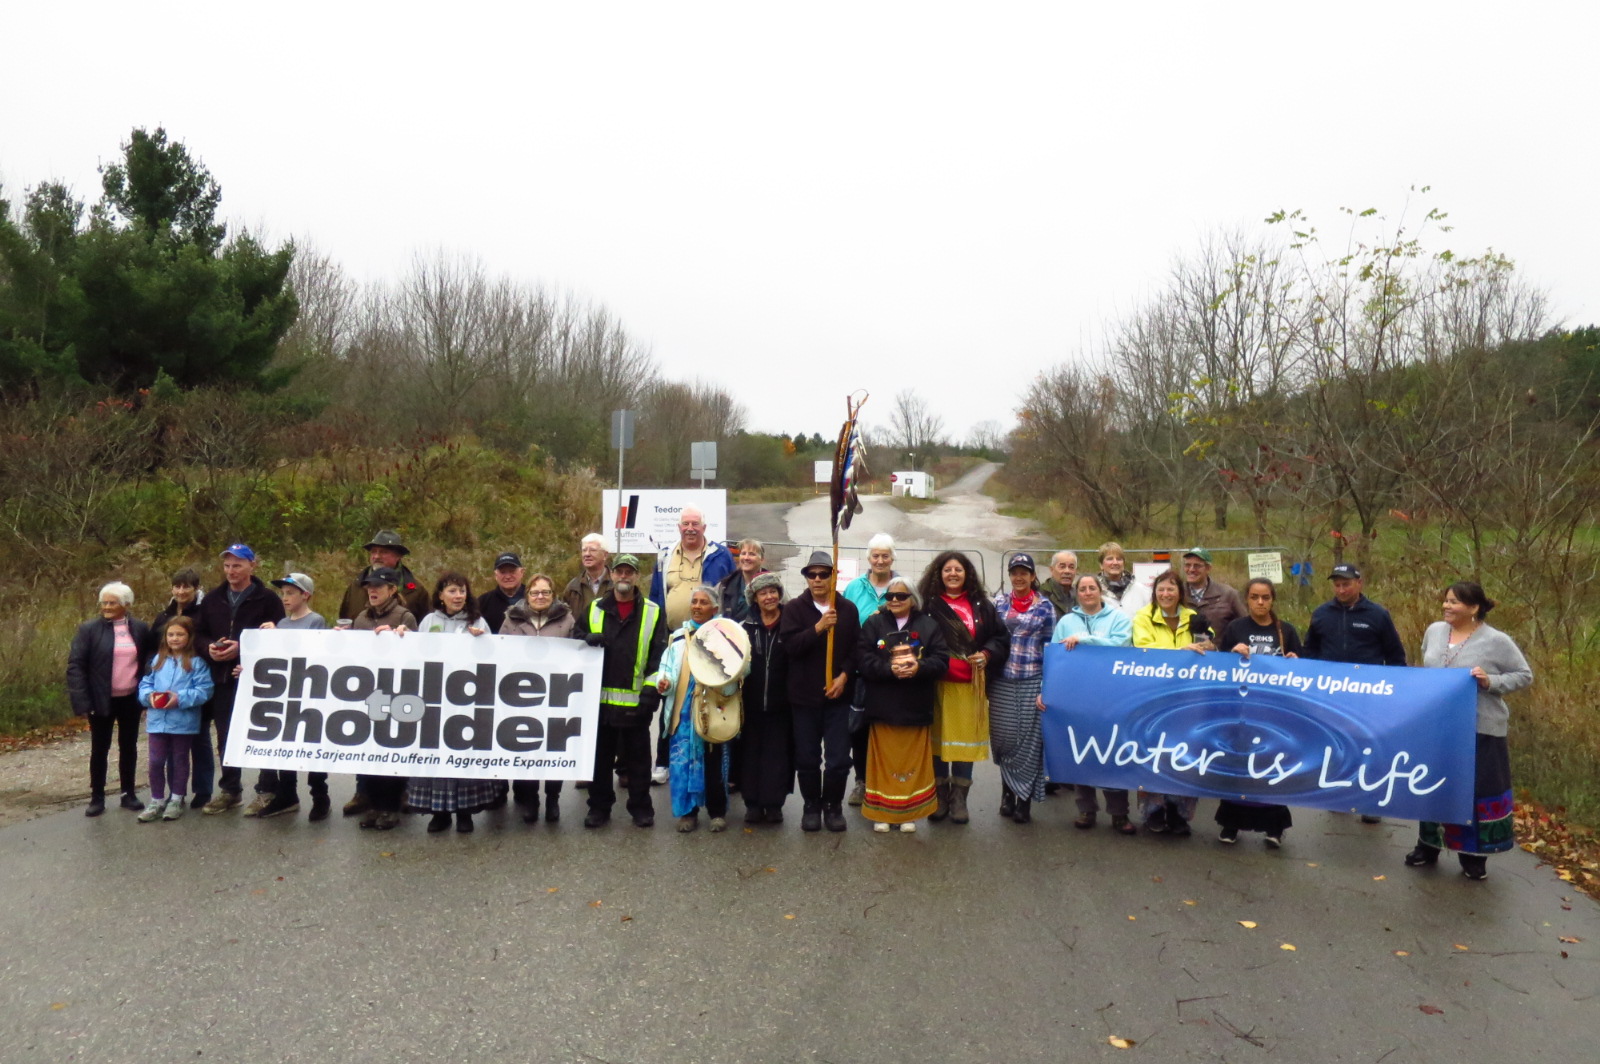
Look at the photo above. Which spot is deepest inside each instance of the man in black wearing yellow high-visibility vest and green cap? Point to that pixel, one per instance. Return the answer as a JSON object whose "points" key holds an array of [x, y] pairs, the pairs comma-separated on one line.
{"points": [[634, 634]]}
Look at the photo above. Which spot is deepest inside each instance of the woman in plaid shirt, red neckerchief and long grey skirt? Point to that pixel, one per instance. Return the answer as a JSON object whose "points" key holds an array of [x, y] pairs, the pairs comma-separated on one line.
{"points": [[1014, 695]]}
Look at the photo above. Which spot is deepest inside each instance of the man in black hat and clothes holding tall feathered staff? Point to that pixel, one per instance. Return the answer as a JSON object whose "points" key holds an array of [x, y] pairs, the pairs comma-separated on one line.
{"points": [[818, 694]]}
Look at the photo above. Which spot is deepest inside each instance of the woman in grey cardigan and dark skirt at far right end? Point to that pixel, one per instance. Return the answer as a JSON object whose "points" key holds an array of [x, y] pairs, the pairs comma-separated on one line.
{"points": [[1463, 641]]}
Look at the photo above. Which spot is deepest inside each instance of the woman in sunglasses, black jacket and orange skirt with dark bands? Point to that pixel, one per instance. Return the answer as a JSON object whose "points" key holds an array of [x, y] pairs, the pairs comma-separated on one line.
{"points": [[902, 660]]}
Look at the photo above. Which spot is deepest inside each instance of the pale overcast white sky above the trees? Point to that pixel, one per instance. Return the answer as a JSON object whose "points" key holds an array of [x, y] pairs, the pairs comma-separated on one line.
{"points": [[801, 201]]}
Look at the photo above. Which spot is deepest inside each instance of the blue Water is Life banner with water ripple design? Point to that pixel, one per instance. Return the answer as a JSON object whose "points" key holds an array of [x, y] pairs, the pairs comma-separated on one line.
{"points": [[1374, 740]]}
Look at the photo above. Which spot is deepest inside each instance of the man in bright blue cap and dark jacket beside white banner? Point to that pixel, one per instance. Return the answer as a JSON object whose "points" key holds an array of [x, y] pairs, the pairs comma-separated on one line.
{"points": [[238, 604]]}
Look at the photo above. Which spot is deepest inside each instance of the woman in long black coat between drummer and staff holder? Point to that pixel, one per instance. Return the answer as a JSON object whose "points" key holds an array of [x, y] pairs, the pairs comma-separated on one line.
{"points": [[767, 764]]}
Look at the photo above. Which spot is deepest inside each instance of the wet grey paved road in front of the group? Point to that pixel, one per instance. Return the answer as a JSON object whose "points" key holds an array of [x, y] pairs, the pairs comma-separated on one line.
{"points": [[217, 938]]}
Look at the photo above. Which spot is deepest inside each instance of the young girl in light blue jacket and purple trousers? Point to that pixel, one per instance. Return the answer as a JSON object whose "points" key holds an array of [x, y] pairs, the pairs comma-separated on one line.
{"points": [[175, 689]]}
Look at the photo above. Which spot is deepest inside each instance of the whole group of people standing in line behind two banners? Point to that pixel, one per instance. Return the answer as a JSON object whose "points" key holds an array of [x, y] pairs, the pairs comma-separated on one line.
{"points": [[903, 682]]}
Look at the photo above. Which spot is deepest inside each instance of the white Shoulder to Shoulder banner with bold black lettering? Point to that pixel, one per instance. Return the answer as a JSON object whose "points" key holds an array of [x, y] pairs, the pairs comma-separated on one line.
{"points": [[422, 705]]}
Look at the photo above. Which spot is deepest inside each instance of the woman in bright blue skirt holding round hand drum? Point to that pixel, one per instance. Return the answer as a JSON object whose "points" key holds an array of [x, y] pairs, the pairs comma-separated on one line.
{"points": [[698, 769]]}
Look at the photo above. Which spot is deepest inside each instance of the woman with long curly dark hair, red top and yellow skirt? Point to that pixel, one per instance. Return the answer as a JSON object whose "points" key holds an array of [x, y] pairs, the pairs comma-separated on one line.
{"points": [[978, 642]]}
